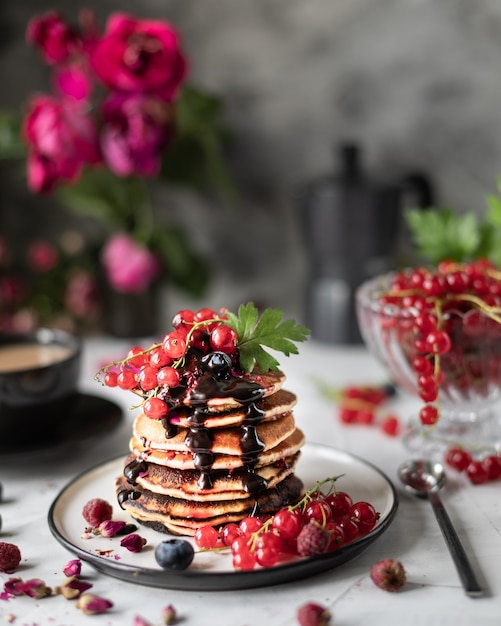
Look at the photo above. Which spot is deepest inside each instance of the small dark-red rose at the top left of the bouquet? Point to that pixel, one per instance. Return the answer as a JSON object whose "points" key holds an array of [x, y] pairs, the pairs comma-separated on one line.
{"points": [[54, 38]]}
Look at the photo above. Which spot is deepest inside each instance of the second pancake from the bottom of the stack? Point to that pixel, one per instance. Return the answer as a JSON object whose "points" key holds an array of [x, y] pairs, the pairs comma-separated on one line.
{"points": [[225, 484]]}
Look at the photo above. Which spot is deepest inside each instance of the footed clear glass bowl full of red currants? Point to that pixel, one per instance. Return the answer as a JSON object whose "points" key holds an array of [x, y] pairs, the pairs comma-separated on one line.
{"points": [[437, 331]]}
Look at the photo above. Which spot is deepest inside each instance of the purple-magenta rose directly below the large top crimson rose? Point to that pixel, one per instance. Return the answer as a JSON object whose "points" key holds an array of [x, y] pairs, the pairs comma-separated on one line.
{"points": [[136, 128]]}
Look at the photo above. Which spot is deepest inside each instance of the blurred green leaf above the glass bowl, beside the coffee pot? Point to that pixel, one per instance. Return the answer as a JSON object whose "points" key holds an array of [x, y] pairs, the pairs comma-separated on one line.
{"points": [[442, 234]]}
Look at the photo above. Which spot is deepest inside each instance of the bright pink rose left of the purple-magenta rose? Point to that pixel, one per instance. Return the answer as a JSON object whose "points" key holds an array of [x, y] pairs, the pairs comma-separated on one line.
{"points": [[61, 138]]}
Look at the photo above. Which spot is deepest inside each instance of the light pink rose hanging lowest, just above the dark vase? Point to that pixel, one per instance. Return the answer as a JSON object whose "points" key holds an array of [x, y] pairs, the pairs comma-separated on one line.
{"points": [[129, 267]]}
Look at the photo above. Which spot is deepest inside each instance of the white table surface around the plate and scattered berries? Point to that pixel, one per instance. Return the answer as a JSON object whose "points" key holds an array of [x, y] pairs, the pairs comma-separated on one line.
{"points": [[432, 596]]}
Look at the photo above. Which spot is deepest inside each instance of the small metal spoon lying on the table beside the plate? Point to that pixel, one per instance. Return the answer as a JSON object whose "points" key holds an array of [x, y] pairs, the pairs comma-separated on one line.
{"points": [[425, 478]]}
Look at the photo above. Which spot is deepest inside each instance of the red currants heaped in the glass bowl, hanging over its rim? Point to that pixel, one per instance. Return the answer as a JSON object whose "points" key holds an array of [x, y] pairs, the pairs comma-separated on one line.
{"points": [[455, 311]]}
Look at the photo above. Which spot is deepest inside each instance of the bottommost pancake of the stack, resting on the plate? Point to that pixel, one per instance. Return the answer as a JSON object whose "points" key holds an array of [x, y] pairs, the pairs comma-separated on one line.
{"points": [[182, 517]]}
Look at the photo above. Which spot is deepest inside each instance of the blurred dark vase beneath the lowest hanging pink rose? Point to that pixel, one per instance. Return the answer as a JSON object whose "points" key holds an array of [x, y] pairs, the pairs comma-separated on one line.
{"points": [[128, 315]]}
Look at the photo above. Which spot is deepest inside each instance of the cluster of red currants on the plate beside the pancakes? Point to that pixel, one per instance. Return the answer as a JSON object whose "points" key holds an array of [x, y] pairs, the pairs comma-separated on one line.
{"points": [[319, 523]]}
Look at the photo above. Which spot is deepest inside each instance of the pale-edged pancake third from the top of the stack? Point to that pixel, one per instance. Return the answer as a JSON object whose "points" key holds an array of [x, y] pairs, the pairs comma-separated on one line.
{"points": [[232, 441]]}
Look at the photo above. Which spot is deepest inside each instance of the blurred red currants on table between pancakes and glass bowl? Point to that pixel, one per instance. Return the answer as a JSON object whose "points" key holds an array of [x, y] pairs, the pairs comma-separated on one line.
{"points": [[360, 405]]}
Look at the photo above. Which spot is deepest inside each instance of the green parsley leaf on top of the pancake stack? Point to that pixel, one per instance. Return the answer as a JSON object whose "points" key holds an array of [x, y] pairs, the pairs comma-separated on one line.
{"points": [[268, 330]]}
